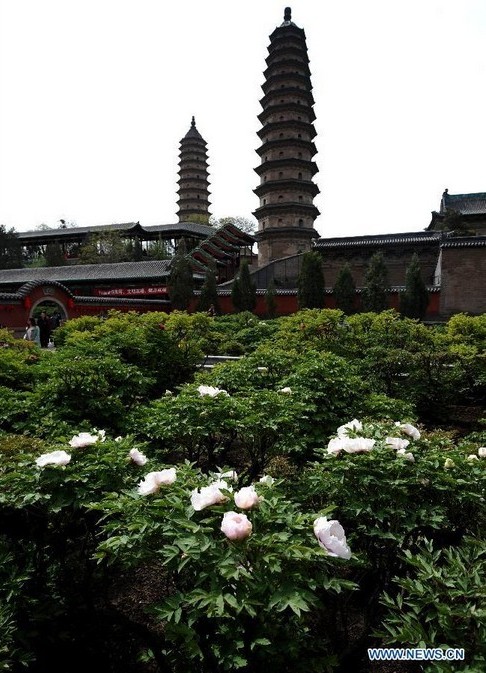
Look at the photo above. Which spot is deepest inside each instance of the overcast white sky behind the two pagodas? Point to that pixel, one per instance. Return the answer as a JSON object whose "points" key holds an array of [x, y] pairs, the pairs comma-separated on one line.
{"points": [[95, 96]]}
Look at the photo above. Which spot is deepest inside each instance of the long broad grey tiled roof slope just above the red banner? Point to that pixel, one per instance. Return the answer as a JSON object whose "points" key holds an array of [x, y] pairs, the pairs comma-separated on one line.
{"points": [[80, 272]]}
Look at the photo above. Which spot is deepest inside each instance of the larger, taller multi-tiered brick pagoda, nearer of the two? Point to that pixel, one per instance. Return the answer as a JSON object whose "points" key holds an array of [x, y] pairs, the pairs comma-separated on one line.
{"points": [[286, 191]]}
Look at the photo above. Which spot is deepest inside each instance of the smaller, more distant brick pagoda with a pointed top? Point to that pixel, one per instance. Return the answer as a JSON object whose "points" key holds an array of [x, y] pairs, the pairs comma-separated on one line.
{"points": [[193, 176]]}
